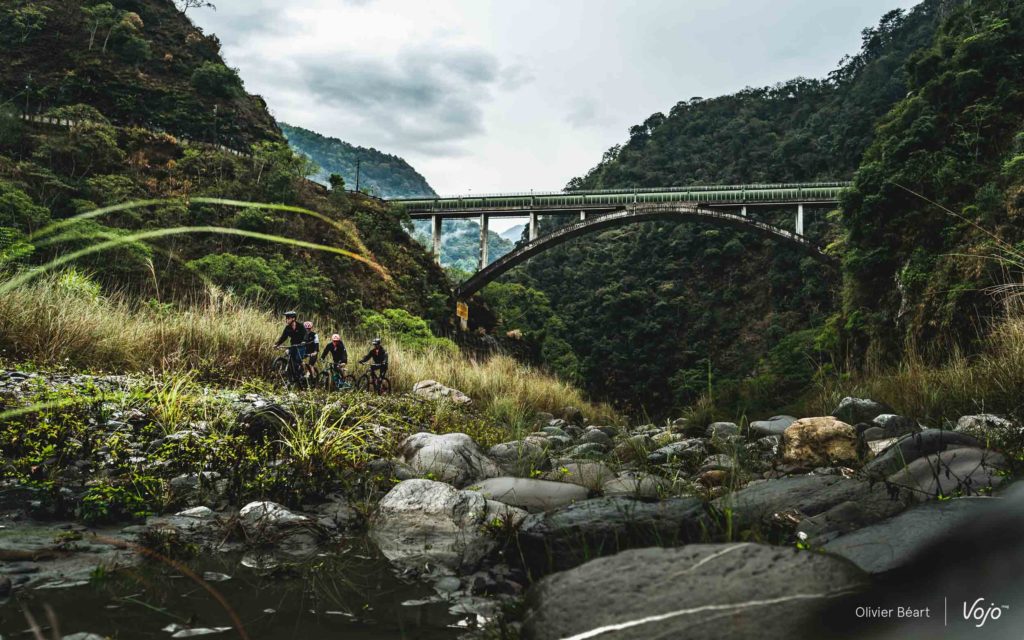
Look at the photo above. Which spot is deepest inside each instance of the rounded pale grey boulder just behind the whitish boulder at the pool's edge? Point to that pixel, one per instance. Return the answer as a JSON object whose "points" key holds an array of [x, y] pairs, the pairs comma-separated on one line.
{"points": [[453, 458]]}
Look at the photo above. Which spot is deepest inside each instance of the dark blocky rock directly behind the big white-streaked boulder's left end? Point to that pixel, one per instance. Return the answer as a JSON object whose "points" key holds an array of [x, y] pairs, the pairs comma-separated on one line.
{"points": [[568, 537]]}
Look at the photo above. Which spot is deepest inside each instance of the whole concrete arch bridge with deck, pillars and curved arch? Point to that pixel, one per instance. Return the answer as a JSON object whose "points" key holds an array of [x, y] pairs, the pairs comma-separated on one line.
{"points": [[604, 209]]}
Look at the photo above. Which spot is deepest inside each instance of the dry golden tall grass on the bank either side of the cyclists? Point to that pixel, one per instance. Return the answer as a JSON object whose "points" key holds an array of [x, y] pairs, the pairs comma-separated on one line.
{"points": [[61, 320]]}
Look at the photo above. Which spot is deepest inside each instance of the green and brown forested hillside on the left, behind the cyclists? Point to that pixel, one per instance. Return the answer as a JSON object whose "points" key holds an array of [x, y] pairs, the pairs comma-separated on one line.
{"points": [[120, 73]]}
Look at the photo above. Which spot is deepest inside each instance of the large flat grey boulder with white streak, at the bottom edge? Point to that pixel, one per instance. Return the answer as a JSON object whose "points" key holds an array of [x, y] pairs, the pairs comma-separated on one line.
{"points": [[720, 588]]}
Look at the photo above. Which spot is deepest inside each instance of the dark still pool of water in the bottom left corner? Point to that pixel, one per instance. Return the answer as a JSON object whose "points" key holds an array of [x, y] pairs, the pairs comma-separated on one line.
{"points": [[352, 593]]}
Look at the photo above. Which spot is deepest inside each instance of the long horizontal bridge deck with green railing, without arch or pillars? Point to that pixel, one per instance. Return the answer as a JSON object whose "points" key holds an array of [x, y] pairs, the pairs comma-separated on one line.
{"points": [[599, 201]]}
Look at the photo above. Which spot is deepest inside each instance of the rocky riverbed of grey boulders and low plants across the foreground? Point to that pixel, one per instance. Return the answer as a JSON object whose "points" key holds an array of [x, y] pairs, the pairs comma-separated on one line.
{"points": [[666, 531]]}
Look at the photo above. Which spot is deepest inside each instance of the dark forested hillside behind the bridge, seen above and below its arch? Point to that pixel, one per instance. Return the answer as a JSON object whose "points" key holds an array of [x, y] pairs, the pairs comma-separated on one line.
{"points": [[659, 314]]}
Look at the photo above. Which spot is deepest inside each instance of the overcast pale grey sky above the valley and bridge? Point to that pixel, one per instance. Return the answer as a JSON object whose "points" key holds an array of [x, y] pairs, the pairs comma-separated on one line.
{"points": [[506, 96]]}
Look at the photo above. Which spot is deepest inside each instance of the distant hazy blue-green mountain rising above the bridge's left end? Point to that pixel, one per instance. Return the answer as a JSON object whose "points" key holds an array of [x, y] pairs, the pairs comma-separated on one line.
{"points": [[383, 175]]}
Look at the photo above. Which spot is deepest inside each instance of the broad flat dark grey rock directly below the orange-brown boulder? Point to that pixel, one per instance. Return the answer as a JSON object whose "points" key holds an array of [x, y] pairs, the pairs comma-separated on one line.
{"points": [[785, 503]]}
